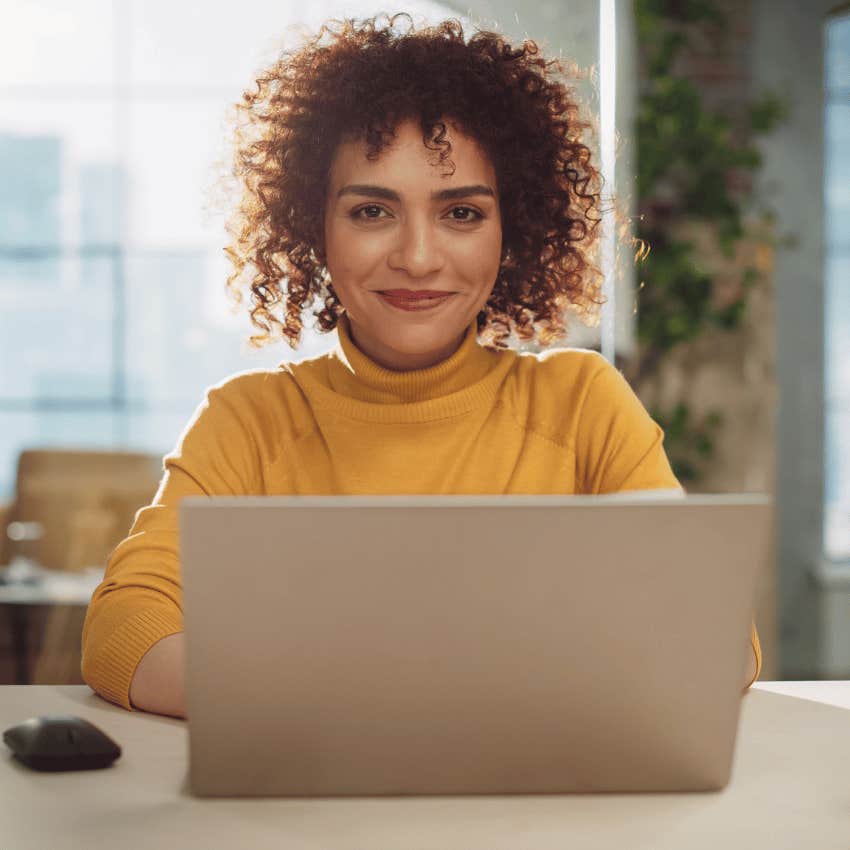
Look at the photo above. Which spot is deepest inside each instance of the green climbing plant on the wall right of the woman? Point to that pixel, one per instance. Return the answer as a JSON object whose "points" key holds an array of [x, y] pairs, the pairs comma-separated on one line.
{"points": [[695, 165]]}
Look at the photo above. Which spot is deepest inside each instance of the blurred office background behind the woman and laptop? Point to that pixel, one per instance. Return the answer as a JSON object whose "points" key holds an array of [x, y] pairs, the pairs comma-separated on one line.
{"points": [[723, 129]]}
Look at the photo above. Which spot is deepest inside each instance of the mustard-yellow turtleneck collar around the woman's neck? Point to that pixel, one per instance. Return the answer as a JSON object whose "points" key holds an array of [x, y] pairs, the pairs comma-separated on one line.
{"points": [[352, 373]]}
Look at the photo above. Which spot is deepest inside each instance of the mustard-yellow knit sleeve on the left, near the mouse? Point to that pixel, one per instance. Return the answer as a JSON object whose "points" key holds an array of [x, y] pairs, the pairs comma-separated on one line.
{"points": [[139, 600]]}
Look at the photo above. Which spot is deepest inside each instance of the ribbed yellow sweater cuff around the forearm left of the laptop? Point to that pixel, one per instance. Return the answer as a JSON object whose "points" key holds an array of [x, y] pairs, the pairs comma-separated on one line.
{"points": [[112, 670]]}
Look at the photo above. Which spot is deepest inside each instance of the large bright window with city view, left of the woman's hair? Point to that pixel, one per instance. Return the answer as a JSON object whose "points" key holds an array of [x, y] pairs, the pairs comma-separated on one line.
{"points": [[113, 319]]}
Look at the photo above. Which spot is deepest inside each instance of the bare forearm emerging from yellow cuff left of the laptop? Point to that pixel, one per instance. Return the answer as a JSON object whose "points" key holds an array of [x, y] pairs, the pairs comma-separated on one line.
{"points": [[158, 683]]}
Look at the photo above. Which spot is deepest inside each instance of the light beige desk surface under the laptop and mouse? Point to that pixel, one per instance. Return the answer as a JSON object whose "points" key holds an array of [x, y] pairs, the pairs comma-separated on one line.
{"points": [[790, 788]]}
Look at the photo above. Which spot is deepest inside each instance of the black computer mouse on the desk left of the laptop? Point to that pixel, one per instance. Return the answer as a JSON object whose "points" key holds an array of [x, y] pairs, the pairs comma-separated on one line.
{"points": [[61, 742]]}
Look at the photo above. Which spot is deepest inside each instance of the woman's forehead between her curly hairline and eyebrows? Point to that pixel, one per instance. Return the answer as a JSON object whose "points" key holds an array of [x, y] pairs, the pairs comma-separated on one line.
{"points": [[406, 160]]}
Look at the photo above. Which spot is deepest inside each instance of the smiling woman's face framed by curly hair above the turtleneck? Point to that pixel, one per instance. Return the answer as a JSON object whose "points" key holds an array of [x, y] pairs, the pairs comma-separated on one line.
{"points": [[402, 222]]}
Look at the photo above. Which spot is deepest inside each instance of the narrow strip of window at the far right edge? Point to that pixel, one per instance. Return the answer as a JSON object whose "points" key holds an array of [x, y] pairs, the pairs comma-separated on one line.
{"points": [[837, 287]]}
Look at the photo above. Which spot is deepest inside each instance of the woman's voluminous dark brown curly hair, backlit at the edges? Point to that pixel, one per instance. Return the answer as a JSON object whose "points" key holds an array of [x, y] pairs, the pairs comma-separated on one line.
{"points": [[361, 86]]}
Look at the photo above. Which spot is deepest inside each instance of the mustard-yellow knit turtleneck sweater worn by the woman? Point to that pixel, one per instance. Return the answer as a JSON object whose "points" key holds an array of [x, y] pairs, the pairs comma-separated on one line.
{"points": [[487, 422]]}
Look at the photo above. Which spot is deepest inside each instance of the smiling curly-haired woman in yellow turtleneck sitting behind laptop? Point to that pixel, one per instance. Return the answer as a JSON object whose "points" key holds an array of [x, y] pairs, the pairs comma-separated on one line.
{"points": [[433, 193]]}
